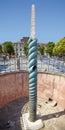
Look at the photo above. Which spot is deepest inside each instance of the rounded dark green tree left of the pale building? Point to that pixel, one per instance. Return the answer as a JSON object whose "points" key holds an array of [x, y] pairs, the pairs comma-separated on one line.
{"points": [[8, 48]]}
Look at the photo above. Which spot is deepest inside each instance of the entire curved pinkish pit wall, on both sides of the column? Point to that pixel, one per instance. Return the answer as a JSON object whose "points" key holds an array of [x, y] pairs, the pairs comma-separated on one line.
{"points": [[15, 85]]}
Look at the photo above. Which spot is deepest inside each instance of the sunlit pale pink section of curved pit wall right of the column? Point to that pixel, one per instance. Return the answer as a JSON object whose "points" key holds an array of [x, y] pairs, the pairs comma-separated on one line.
{"points": [[52, 86]]}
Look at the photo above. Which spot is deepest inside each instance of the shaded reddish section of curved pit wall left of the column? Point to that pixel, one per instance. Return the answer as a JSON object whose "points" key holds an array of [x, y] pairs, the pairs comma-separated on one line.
{"points": [[13, 86]]}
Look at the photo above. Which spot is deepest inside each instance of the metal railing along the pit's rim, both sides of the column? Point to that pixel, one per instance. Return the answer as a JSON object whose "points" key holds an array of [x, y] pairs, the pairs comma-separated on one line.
{"points": [[43, 64]]}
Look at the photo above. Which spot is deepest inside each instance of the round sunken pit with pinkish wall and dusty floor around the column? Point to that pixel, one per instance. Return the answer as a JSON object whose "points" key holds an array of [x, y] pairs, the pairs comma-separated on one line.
{"points": [[14, 97]]}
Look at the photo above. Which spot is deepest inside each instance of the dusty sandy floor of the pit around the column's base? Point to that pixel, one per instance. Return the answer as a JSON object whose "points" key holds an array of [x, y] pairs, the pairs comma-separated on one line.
{"points": [[52, 115]]}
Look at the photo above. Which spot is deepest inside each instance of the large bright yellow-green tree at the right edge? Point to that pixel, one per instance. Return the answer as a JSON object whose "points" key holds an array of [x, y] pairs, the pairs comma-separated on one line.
{"points": [[59, 48]]}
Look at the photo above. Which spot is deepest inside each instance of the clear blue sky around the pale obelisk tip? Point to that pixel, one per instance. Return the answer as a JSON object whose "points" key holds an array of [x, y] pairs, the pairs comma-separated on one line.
{"points": [[15, 18]]}
